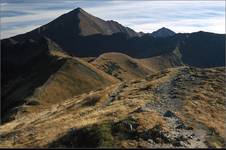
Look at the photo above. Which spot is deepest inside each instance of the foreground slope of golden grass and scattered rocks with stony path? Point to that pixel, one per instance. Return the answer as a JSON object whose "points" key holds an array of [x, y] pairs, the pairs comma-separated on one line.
{"points": [[133, 114]]}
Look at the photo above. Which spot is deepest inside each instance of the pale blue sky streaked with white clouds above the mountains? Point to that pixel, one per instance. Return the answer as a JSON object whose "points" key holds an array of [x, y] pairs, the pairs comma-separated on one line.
{"points": [[20, 16]]}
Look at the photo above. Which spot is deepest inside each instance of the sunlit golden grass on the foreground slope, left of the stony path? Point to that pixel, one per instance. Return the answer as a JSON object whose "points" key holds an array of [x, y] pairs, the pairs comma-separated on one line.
{"points": [[52, 123]]}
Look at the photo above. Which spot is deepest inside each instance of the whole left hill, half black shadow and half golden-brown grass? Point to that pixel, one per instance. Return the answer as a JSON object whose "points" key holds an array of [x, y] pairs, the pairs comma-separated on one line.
{"points": [[44, 77]]}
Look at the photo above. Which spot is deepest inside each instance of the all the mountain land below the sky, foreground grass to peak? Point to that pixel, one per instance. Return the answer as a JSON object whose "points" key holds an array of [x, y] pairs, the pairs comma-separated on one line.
{"points": [[82, 82]]}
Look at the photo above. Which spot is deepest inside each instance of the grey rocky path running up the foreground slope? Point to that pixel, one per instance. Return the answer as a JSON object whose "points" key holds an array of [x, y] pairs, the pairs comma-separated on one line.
{"points": [[170, 102]]}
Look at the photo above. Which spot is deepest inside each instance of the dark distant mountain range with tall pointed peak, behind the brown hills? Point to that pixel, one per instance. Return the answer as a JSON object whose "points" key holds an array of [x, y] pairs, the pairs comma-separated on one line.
{"points": [[84, 35]]}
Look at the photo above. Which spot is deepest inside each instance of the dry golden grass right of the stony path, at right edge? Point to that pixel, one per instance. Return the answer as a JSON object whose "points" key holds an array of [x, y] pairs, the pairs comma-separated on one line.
{"points": [[206, 104]]}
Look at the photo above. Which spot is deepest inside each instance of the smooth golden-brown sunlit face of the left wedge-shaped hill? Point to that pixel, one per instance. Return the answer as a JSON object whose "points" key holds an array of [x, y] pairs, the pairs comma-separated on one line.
{"points": [[74, 77]]}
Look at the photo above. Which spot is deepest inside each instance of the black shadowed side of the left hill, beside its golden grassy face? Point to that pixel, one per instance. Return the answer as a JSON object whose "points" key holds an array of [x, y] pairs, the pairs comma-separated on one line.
{"points": [[25, 66]]}
